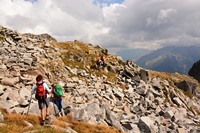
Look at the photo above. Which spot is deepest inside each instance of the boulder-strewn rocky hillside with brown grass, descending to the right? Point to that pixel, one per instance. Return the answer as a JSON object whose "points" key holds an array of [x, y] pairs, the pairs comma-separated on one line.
{"points": [[122, 96]]}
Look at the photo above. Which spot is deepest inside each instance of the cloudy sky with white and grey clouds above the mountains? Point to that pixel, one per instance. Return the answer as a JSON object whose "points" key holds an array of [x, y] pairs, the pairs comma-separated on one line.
{"points": [[113, 24]]}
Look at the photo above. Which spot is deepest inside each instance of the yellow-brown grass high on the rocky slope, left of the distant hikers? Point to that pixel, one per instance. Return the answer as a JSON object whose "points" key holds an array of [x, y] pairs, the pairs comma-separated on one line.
{"points": [[79, 55]]}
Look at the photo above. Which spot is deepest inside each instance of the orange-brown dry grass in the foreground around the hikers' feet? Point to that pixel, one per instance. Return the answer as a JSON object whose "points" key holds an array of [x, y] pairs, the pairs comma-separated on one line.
{"points": [[14, 123]]}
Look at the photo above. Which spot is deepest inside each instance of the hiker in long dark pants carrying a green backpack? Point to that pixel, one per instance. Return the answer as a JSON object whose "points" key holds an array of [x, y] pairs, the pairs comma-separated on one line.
{"points": [[57, 97]]}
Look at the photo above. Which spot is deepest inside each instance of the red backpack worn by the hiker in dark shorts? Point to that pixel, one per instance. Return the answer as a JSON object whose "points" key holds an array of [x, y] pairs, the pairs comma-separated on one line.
{"points": [[40, 91]]}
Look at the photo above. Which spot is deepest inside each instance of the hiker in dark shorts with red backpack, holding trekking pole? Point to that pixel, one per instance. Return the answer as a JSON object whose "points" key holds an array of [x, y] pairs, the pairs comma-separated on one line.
{"points": [[41, 91]]}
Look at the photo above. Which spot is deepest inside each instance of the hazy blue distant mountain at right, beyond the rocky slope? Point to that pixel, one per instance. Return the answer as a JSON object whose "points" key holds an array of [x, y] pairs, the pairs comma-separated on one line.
{"points": [[171, 59]]}
